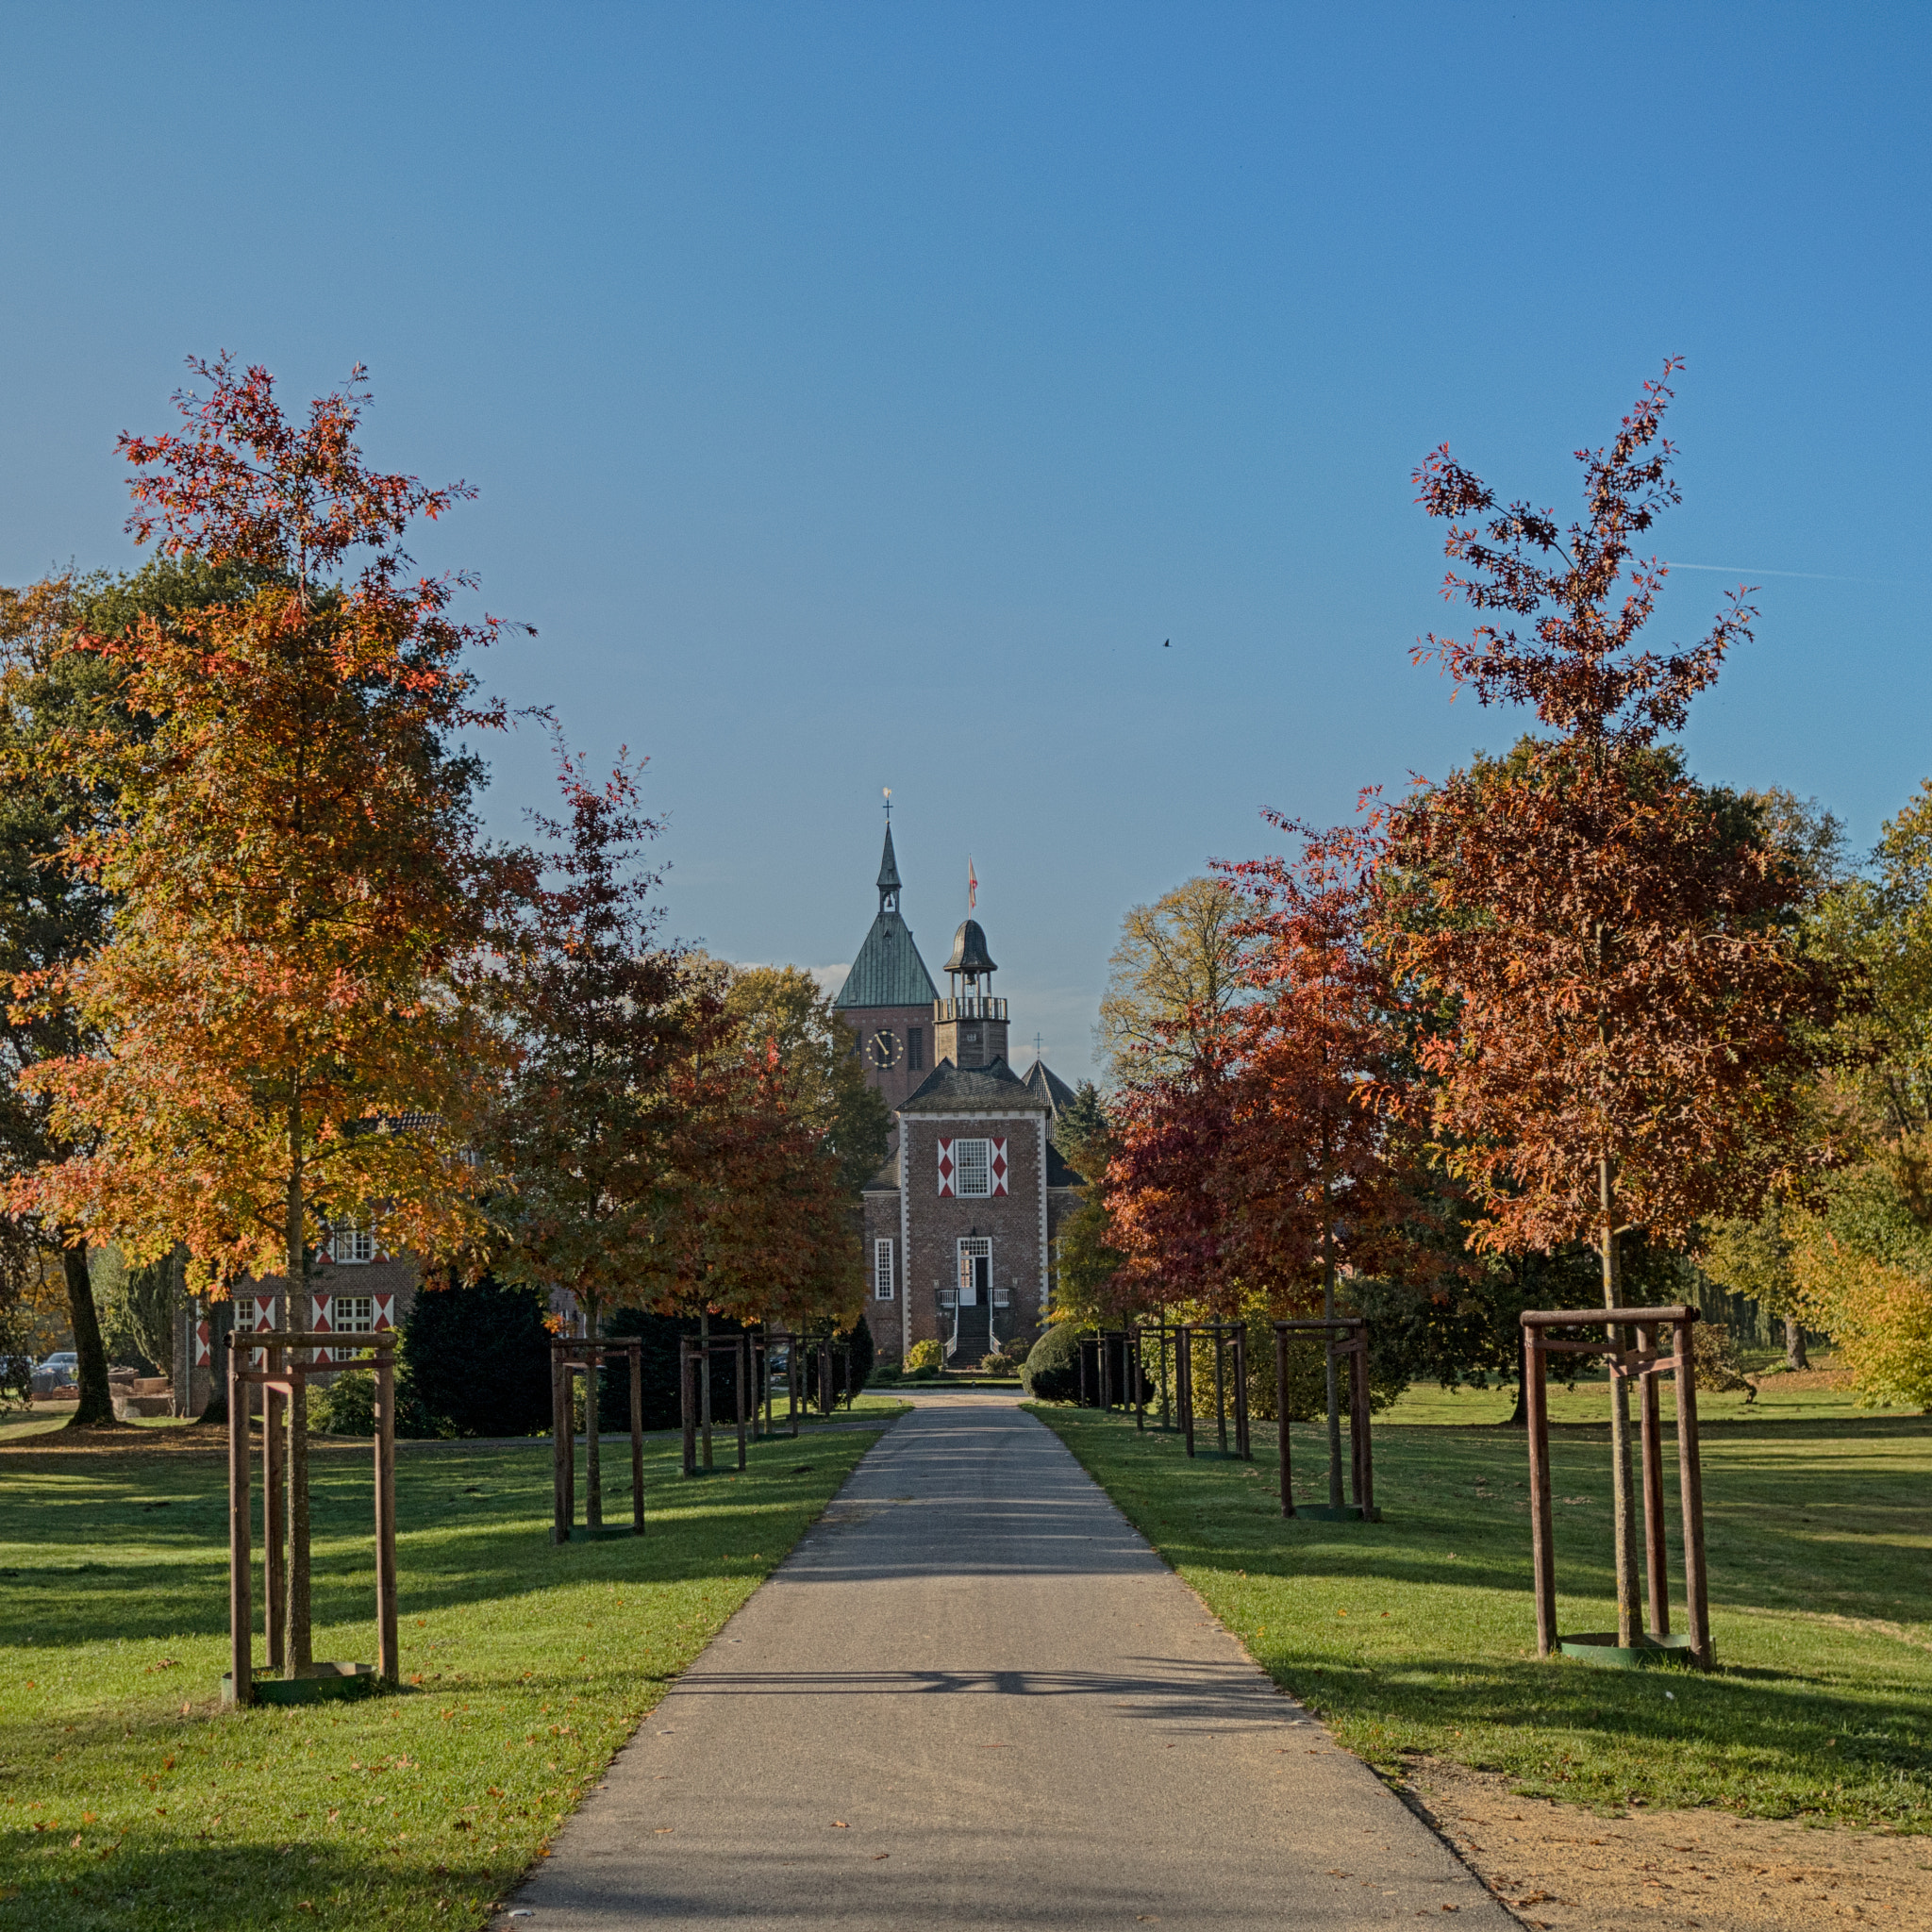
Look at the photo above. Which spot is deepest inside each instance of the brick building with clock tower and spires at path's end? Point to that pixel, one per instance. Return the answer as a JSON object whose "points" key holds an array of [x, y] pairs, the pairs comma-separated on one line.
{"points": [[963, 1216]]}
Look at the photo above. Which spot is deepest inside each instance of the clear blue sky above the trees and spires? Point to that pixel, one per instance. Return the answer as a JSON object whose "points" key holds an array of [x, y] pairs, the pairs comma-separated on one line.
{"points": [[861, 395]]}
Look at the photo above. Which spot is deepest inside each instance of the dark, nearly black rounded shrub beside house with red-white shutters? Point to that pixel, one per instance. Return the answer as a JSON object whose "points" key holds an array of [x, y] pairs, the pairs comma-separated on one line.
{"points": [[476, 1361]]}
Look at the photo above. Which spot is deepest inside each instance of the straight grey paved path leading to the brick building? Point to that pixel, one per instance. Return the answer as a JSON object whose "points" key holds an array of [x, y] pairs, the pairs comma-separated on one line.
{"points": [[975, 1697]]}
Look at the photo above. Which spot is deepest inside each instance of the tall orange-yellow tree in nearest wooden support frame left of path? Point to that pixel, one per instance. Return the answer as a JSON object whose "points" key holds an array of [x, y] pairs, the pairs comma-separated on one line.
{"points": [[271, 1035]]}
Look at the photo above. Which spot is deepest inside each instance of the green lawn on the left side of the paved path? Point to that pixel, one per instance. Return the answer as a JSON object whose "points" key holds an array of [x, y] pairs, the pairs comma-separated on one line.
{"points": [[130, 1800]]}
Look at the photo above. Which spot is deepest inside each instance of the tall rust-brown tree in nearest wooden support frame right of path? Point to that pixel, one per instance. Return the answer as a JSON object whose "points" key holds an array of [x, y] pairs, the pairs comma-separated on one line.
{"points": [[1630, 998]]}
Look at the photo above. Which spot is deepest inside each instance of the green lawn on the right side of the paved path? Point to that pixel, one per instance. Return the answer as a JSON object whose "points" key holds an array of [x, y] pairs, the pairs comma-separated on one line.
{"points": [[1419, 1635]]}
